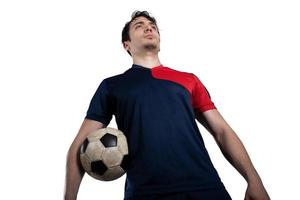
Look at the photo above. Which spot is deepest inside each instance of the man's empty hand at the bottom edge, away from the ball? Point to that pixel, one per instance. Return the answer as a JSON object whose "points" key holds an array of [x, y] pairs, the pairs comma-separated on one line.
{"points": [[256, 191]]}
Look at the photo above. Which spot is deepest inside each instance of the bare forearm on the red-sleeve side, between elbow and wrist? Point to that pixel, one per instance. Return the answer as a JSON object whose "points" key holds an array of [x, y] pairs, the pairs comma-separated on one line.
{"points": [[235, 152]]}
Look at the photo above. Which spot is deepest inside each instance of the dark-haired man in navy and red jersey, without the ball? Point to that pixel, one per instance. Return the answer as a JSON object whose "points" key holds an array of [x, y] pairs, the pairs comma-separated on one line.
{"points": [[156, 106]]}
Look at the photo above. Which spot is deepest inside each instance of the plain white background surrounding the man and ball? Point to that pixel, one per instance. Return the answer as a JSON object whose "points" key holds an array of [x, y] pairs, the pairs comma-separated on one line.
{"points": [[54, 54]]}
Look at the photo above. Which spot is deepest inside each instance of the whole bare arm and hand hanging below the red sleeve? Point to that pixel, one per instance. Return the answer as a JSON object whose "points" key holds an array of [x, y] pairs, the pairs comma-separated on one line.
{"points": [[234, 151]]}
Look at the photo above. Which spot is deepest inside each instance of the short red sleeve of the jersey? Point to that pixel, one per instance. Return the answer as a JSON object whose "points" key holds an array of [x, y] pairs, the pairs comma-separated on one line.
{"points": [[201, 98]]}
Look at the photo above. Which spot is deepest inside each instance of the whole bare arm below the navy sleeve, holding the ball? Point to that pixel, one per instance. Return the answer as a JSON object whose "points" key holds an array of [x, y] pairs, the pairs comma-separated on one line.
{"points": [[74, 171]]}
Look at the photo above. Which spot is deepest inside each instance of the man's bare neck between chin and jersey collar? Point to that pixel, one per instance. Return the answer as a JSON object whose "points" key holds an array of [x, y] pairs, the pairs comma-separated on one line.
{"points": [[147, 60]]}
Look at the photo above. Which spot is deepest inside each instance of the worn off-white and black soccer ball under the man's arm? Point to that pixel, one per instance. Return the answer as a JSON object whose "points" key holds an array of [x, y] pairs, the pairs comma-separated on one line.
{"points": [[104, 154]]}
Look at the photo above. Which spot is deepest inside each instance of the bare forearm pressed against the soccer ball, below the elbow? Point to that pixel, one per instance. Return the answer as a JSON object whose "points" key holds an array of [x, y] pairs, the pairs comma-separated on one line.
{"points": [[74, 175]]}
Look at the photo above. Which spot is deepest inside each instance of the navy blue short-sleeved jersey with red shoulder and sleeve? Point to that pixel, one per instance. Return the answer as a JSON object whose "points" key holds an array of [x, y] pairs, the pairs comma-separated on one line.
{"points": [[155, 108]]}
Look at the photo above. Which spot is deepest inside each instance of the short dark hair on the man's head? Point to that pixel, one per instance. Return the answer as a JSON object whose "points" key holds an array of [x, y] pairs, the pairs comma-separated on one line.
{"points": [[135, 14]]}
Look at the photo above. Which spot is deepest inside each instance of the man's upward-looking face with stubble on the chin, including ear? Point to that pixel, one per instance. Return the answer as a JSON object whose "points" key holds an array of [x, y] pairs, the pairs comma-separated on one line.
{"points": [[143, 35]]}
